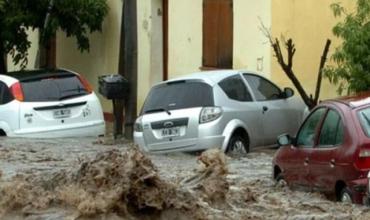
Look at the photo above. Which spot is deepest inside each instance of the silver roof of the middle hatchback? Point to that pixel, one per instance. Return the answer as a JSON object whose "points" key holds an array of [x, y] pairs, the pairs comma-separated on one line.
{"points": [[211, 77]]}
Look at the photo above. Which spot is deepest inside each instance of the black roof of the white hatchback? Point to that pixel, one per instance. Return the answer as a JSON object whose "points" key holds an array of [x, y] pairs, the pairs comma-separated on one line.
{"points": [[25, 75]]}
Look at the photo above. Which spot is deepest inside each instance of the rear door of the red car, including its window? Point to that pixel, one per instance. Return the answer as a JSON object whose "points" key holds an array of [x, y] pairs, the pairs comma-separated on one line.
{"points": [[323, 167]]}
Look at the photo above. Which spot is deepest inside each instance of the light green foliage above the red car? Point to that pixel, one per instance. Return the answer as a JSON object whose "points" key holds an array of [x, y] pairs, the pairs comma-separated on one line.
{"points": [[352, 57]]}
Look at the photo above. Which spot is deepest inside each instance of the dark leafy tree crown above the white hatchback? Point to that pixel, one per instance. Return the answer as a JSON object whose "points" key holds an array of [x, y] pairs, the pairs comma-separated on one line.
{"points": [[77, 18]]}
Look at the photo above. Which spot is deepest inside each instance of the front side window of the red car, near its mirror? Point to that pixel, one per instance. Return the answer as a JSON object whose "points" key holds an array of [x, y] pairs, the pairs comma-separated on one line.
{"points": [[306, 135]]}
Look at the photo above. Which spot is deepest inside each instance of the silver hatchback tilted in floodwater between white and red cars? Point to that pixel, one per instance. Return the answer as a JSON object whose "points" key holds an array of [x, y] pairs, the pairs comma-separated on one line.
{"points": [[230, 110]]}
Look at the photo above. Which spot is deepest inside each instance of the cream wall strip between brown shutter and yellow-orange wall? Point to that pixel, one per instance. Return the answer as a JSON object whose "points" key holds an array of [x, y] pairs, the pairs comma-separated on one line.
{"points": [[251, 47]]}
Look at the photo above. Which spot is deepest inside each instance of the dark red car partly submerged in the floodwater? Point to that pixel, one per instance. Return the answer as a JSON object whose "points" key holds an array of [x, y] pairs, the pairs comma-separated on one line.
{"points": [[331, 152]]}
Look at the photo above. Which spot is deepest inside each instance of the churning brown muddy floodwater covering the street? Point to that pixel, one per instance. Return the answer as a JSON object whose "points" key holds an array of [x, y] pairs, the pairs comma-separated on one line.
{"points": [[91, 179]]}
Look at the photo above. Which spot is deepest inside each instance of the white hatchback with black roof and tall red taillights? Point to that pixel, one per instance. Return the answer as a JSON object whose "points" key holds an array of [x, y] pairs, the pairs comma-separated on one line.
{"points": [[48, 104]]}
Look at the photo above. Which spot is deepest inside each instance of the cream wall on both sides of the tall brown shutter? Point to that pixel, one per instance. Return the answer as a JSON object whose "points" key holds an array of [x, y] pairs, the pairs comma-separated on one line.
{"points": [[250, 49]]}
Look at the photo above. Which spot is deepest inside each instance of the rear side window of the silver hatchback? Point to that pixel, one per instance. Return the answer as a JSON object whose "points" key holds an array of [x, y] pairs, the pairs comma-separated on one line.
{"points": [[235, 89]]}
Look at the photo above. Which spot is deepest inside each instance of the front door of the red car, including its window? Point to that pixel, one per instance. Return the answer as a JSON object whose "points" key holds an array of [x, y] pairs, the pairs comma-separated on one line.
{"points": [[296, 159]]}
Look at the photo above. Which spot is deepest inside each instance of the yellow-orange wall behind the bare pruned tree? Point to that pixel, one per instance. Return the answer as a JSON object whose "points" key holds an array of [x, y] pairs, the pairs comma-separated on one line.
{"points": [[309, 23]]}
